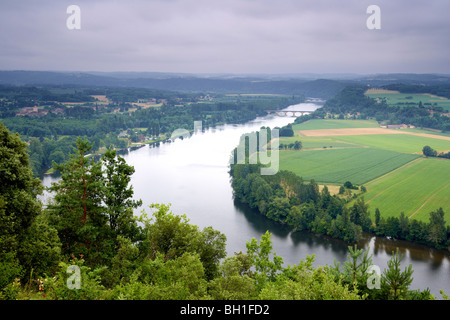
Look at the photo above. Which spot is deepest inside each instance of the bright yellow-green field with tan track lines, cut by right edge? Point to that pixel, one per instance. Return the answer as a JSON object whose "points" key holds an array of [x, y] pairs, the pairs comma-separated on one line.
{"points": [[417, 188]]}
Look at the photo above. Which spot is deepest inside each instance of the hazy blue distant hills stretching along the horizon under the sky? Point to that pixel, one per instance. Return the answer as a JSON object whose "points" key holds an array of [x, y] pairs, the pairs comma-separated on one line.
{"points": [[309, 85]]}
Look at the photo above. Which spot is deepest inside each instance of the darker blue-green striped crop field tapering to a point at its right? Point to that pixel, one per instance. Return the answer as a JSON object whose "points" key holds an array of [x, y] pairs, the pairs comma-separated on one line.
{"points": [[336, 166]]}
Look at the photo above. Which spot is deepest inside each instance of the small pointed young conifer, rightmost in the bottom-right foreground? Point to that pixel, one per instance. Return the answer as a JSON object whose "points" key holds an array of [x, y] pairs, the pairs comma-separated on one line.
{"points": [[395, 281]]}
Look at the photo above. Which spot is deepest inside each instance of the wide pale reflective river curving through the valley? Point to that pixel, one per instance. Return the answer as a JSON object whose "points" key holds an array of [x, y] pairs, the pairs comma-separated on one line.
{"points": [[192, 175]]}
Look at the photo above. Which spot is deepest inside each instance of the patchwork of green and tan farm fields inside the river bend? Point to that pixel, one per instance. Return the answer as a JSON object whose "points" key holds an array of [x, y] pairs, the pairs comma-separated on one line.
{"points": [[398, 178]]}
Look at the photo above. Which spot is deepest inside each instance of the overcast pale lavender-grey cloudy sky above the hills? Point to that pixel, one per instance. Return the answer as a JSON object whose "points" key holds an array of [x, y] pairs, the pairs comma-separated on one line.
{"points": [[226, 36]]}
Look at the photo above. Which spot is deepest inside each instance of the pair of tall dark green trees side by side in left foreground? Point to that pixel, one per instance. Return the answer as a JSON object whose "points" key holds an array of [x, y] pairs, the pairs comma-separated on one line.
{"points": [[92, 205]]}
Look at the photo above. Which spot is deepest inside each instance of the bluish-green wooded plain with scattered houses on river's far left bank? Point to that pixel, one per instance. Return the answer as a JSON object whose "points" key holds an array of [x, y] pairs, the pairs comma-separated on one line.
{"points": [[52, 134]]}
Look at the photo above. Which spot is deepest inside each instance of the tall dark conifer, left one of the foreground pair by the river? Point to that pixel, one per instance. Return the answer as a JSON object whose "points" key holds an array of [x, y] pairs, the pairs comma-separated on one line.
{"points": [[77, 212]]}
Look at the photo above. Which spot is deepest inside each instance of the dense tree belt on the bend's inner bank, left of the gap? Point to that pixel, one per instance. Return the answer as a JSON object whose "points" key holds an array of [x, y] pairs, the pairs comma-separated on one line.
{"points": [[285, 198]]}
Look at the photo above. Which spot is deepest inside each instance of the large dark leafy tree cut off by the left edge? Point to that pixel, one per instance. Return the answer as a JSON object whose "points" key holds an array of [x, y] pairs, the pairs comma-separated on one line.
{"points": [[19, 205]]}
